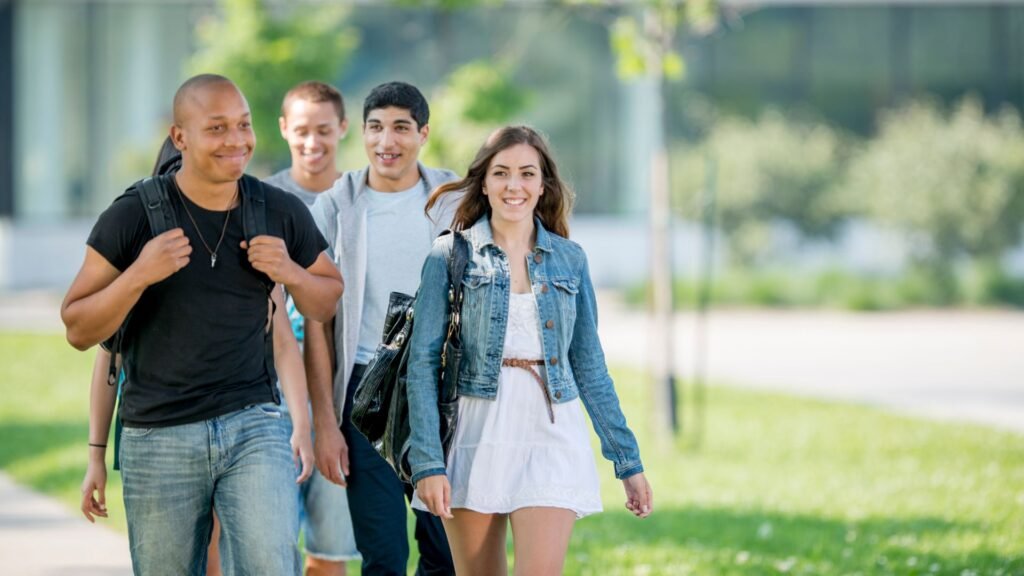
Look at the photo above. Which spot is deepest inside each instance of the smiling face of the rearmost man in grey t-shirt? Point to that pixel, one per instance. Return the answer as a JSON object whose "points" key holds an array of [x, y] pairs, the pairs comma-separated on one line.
{"points": [[313, 132]]}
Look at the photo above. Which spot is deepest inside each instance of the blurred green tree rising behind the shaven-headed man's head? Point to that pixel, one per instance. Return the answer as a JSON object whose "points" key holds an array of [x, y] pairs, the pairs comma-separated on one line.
{"points": [[267, 53]]}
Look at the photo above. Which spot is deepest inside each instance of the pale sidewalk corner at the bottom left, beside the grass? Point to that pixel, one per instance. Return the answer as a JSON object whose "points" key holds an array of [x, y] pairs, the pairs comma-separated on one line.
{"points": [[42, 538]]}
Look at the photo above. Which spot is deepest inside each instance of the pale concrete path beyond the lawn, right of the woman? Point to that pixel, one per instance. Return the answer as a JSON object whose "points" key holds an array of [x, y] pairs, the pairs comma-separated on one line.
{"points": [[950, 365]]}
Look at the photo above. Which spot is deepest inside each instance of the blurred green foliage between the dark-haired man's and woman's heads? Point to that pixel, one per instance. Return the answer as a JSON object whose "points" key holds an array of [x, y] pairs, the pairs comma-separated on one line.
{"points": [[477, 99]]}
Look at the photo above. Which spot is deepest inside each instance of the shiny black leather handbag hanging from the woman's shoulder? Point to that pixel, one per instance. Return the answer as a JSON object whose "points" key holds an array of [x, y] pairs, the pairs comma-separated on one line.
{"points": [[380, 408]]}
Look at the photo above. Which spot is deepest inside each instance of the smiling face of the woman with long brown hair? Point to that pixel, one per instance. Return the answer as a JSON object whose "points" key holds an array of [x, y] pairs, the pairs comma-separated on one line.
{"points": [[515, 185]]}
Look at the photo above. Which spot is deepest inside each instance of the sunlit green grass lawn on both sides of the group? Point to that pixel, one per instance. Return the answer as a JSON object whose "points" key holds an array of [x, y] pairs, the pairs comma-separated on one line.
{"points": [[780, 486]]}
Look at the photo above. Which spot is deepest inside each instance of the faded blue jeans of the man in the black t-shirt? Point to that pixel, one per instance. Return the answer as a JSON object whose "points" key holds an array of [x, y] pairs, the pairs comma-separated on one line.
{"points": [[240, 463]]}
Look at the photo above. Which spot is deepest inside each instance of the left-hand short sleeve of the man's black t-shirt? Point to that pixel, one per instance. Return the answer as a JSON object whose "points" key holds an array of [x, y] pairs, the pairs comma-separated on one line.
{"points": [[121, 231]]}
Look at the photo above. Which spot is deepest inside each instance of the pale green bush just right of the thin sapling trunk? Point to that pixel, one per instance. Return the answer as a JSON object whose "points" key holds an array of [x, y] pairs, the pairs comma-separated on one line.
{"points": [[776, 170]]}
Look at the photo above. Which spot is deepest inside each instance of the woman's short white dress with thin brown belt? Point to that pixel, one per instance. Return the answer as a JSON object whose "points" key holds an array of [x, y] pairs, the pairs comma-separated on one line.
{"points": [[507, 455]]}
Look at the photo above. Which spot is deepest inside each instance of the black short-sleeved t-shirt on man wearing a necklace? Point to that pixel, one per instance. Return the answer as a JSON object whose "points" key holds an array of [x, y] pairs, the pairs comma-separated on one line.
{"points": [[195, 343]]}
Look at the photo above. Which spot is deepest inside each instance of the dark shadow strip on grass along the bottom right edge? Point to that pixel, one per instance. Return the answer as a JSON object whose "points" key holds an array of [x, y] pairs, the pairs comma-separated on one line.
{"points": [[702, 541]]}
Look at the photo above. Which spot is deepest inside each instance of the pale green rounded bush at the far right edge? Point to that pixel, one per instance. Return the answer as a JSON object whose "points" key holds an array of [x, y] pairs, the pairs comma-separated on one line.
{"points": [[953, 183]]}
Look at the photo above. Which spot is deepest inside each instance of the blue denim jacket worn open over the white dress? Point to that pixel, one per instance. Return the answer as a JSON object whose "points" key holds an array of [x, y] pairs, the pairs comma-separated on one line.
{"points": [[574, 361]]}
